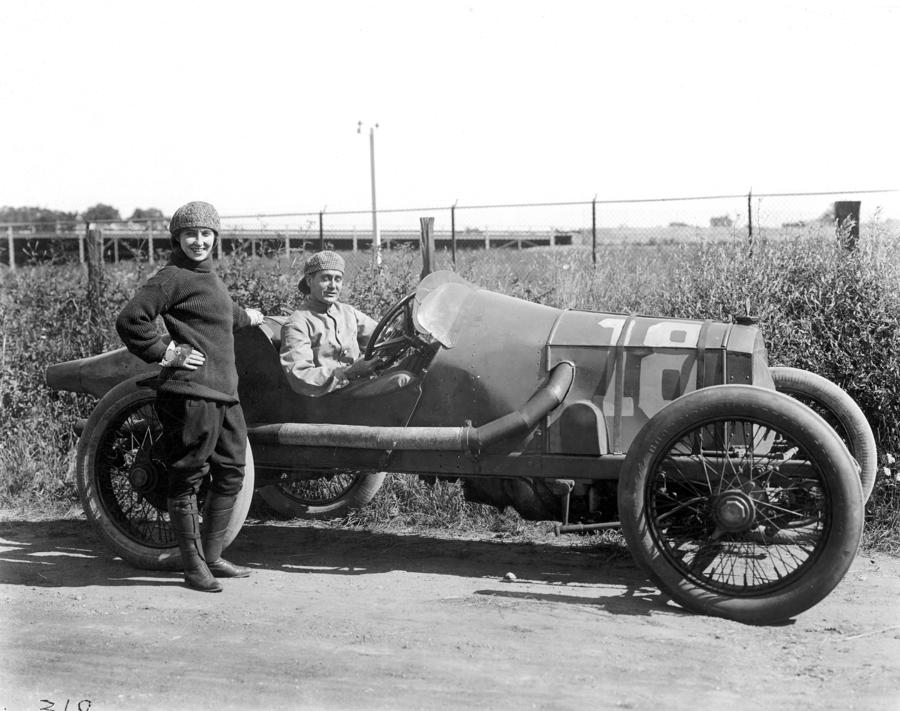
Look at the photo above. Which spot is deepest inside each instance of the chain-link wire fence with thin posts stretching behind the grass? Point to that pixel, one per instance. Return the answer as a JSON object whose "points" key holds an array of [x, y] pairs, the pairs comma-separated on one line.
{"points": [[586, 223]]}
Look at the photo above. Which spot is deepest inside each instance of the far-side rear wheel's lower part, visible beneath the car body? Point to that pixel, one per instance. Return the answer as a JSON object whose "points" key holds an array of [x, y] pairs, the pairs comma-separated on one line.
{"points": [[314, 495]]}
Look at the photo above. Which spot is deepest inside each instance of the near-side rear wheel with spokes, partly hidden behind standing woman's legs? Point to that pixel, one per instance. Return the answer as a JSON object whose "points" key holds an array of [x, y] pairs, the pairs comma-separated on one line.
{"points": [[123, 487]]}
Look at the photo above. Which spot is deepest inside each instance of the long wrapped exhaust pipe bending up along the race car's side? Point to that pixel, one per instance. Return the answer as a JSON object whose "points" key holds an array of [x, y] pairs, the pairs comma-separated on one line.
{"points": [[448, 439]]}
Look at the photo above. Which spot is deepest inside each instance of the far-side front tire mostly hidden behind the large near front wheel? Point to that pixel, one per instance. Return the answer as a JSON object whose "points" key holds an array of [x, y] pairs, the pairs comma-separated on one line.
{"points": [[857, 434]]}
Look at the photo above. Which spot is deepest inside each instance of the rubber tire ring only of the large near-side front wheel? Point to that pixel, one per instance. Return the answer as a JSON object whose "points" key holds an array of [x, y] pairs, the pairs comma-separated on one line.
{"points": [[844, 500]]}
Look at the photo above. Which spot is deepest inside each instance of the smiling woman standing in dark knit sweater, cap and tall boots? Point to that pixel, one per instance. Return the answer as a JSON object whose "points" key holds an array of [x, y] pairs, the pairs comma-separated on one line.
{"points": [[204, 433]]}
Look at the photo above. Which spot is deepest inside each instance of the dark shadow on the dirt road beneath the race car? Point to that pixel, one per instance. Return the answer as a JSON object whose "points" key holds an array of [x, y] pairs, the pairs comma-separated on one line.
{"points": [[68, 553]]}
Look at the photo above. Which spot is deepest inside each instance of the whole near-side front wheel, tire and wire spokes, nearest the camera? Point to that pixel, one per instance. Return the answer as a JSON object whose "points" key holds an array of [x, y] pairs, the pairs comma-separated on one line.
{"points": [[742, 503]]}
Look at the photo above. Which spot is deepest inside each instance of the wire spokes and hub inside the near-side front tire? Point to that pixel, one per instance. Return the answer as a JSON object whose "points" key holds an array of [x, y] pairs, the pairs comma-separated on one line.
{"points": [[744, 526]]}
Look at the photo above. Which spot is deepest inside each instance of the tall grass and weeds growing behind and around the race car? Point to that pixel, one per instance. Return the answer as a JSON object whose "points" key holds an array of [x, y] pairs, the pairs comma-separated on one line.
{"points": [[820, 307]]}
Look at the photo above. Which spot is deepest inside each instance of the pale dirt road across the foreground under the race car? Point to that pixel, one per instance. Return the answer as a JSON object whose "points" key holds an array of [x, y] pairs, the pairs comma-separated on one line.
{"points": [[338, 619]]}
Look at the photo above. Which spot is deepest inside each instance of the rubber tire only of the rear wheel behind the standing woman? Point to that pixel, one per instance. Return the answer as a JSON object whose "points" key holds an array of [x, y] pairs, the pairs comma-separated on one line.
{"points": [[129, 396]]}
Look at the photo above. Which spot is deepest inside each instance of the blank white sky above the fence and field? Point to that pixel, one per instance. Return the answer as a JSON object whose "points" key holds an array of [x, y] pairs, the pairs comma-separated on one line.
{"points": [[255, 106]]}
